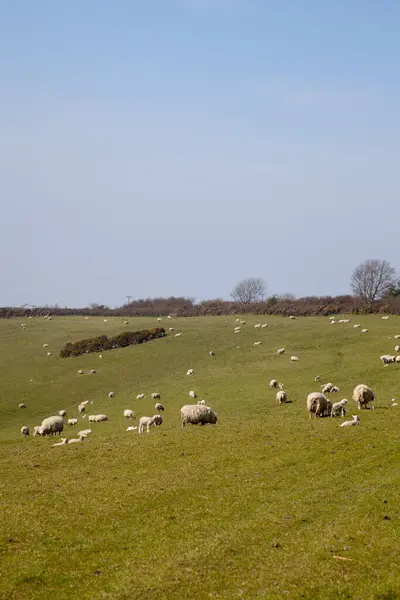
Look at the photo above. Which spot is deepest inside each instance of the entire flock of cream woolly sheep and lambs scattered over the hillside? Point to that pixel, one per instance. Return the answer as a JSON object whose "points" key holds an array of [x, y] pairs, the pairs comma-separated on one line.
{"points": [[318, 405]]}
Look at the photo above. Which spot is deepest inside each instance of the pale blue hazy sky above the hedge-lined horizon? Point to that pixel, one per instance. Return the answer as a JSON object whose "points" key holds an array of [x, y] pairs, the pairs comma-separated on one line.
{"points": [[174, 147]]}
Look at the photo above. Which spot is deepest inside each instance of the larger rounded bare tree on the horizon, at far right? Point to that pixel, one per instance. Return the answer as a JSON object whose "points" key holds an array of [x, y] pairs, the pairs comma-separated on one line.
{"points": [[373, 279]]}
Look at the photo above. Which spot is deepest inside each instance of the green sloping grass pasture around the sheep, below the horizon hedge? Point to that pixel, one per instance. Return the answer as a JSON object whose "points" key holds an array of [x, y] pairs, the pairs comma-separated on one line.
{"points": [[258, 506]]}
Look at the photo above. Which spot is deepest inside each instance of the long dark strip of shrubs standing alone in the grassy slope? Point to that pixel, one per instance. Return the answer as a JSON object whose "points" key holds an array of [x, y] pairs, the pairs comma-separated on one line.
{"points": [[102, 343]]}
